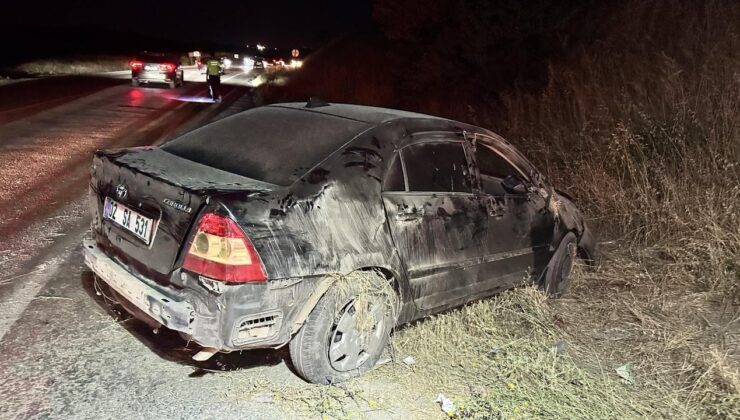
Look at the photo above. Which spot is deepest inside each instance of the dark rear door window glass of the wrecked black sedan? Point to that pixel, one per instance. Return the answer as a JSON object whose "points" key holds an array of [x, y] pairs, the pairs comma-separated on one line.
{"points": [[437, 167]]}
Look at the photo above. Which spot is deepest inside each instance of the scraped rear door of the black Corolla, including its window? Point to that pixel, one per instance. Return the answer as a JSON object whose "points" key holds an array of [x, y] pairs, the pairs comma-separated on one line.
{"points": [[438, 224]]}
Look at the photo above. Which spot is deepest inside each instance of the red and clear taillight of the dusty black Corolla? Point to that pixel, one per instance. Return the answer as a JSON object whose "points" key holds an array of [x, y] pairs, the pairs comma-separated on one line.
{"points": [[222, 251]]}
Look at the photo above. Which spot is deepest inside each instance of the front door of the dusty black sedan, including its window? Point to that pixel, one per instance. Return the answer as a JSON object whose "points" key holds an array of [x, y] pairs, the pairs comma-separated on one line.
{"points": [[520, 226]]}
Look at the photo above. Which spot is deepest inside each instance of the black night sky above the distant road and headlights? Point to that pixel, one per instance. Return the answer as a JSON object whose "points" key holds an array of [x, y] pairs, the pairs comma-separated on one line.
{"points": [[48, 26]]}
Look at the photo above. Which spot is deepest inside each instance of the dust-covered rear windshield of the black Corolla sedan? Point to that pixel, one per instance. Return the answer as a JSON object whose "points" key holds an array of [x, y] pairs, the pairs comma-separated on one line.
{"points": [[271, 144]]}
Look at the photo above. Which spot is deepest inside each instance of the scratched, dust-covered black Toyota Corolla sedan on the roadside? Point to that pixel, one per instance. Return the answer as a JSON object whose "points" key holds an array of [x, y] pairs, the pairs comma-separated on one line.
{"points": [[238, 233]]}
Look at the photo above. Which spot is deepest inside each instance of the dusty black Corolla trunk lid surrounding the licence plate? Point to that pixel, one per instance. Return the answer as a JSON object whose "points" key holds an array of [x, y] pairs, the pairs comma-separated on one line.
{"points": [[160, 186]]}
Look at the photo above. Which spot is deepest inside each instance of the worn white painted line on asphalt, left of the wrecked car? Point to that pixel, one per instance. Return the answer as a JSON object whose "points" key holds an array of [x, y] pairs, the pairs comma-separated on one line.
{"points": [[26, 290]]}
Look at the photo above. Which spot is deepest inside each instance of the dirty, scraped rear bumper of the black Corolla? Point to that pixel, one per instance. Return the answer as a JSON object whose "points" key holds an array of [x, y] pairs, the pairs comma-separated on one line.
{"points": [[212, 314]]}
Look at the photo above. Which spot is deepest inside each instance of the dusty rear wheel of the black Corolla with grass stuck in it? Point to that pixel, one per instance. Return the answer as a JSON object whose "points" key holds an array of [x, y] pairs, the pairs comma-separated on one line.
{"points": [[346, 332]]}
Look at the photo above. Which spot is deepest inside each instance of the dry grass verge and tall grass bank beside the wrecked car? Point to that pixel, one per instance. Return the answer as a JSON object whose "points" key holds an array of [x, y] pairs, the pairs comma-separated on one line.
{"points": [[643, 129]]}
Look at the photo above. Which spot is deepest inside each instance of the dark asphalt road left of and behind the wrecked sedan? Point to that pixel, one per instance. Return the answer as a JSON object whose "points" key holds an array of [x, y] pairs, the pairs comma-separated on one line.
{"points": [[67, 351]]}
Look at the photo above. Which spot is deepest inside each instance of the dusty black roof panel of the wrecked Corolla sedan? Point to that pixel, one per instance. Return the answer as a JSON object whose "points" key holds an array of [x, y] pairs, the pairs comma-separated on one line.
{"points": [[367, 114]]}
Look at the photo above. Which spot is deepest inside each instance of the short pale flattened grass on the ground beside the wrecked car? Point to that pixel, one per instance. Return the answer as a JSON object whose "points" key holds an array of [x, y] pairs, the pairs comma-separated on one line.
{"points": [[520, 355]]}
